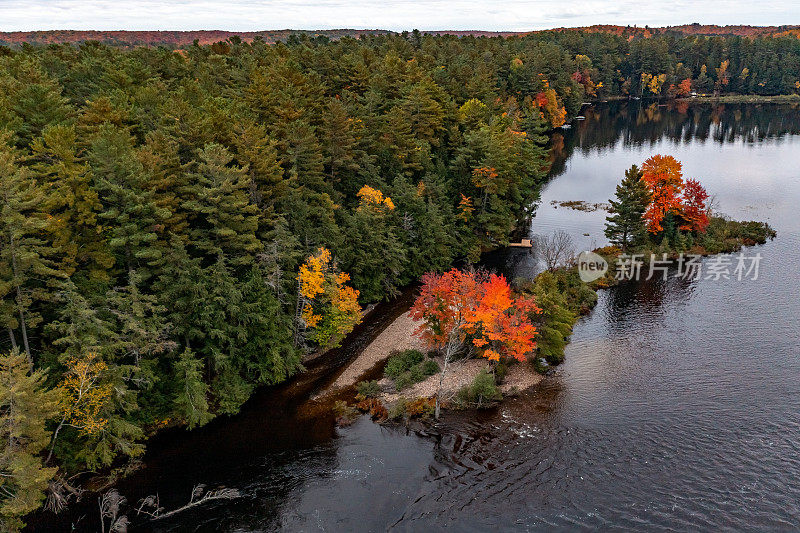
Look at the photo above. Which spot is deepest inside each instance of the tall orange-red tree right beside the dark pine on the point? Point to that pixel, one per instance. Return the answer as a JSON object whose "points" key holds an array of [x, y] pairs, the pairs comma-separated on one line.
{"points": [[664, 179]]}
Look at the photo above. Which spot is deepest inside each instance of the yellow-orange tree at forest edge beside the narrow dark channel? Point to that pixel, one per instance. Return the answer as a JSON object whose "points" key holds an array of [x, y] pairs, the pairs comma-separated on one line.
{"points": [[327, 308]]}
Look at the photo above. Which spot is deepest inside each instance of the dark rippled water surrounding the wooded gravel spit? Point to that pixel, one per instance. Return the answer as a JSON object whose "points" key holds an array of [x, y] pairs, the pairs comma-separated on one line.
{"points": [[678, 406]]}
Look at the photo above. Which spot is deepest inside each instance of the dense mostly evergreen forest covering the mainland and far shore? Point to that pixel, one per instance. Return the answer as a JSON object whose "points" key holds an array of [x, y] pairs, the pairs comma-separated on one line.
{"points": [[178, 228]]}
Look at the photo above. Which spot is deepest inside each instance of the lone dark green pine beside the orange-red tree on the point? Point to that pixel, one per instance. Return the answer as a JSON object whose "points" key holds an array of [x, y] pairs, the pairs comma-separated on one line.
{"points": [[625, 226]]}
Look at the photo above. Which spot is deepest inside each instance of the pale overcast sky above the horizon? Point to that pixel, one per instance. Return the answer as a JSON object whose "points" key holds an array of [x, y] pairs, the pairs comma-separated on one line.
{"points": [[520, 15]]}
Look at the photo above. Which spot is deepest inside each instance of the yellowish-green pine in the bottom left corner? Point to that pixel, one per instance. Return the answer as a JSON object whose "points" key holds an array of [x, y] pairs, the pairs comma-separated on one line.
{"points": [[25, 408]]}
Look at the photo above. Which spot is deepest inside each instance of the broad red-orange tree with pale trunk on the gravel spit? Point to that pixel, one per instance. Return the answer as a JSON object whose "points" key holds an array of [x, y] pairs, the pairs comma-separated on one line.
{"points": [[457, 306]]}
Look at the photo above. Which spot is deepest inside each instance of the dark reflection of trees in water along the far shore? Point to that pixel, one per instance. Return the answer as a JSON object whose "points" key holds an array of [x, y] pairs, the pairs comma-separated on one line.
{"points": [[647, 123]]}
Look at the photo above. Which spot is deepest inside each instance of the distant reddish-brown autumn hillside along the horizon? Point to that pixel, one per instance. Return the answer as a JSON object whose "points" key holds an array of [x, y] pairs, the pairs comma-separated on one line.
{"points": [[177, 39]]}
